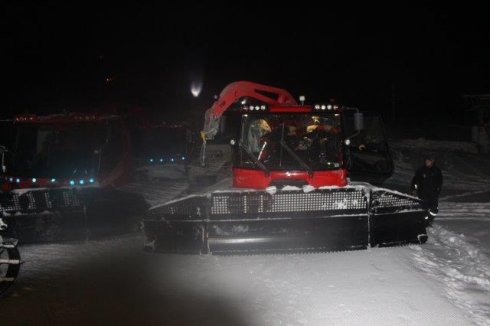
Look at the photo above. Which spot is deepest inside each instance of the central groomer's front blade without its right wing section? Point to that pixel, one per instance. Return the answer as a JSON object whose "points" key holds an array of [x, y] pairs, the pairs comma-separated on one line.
{"points": [[256, 221]]}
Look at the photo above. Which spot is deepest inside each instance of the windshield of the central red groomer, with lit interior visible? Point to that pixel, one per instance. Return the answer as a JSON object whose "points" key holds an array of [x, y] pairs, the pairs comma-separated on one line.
{"points": [[288, 141]]}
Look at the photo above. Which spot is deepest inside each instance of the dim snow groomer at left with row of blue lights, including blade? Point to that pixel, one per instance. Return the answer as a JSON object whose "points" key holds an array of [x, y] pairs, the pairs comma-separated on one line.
{"points": [[59, 173]]}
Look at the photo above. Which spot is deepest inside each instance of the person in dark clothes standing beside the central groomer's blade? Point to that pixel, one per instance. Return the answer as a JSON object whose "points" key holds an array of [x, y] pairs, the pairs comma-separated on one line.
{"points": [[426, 184]]}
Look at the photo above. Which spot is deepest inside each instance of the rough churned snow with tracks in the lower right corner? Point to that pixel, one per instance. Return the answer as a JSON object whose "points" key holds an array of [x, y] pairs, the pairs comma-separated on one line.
{"points": [[461, 269]]}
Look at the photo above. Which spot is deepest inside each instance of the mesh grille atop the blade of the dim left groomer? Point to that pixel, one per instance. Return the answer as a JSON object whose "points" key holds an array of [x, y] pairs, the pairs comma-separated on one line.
{"points": [[39, 200]]}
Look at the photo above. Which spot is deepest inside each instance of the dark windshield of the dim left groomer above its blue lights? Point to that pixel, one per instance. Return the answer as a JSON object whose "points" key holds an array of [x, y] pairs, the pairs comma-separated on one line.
{"points": [[57, 151]]}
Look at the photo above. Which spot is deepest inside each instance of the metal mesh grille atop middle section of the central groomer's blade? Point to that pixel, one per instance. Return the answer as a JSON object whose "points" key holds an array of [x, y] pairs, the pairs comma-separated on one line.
{"points": [[262, 202]]}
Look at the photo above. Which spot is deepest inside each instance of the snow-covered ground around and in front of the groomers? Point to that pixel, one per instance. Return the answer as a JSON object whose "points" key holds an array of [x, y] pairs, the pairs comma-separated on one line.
{"points": [[444, 282]]}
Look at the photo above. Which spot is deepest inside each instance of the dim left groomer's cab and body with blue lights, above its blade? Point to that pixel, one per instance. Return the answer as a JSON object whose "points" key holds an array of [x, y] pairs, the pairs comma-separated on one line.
{"points": [[101, 141]]}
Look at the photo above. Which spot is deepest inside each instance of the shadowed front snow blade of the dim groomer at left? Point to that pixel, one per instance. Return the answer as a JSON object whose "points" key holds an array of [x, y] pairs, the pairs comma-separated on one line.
{"points": [[46, 215]]}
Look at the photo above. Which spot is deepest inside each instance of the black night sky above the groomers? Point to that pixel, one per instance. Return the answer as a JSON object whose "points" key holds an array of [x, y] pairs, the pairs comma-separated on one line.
{"points": [[63, 56]]}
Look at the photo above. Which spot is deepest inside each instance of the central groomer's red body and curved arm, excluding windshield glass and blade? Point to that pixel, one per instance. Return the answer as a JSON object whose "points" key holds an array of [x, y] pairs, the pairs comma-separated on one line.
{"points": [[278, 102]]}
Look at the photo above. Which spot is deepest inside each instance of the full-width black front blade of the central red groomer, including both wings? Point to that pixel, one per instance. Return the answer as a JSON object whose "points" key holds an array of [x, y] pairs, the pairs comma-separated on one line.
{"points": [[330, 219]]}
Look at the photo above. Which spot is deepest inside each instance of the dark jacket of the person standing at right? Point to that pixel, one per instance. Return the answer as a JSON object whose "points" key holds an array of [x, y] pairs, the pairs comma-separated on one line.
{"points": [[427, 182]]}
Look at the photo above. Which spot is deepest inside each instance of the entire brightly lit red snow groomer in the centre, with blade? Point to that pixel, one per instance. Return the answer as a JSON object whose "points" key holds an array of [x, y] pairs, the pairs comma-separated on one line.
{"points": [[291, 189]]}
